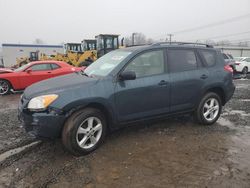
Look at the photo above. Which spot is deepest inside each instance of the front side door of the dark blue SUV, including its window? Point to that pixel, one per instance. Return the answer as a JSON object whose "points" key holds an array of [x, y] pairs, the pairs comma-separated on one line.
{"points": [[148, 94]]}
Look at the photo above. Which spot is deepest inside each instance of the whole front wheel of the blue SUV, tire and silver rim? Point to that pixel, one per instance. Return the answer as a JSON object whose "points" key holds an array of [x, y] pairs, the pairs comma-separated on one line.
{"points": [[84, 131]]}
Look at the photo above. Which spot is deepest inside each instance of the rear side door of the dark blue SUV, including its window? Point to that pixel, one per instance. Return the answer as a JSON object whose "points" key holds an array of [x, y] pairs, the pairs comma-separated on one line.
{"points": [[187, 77]]}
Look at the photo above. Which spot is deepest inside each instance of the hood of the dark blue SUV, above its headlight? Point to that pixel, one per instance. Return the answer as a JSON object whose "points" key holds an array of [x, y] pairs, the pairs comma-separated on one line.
{"points": [[58, 84]]}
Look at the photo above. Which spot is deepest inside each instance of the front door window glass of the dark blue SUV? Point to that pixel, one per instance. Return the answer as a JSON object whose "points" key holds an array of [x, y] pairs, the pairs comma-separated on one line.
{"points": [[148, 63]]}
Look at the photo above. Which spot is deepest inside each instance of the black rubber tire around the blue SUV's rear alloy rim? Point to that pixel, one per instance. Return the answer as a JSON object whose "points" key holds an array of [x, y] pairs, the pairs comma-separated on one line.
{"points": [[199, 112]]}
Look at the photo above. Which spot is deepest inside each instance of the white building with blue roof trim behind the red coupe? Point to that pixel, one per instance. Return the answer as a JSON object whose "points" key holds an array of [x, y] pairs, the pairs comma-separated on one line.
{"points": [[11, 52]]}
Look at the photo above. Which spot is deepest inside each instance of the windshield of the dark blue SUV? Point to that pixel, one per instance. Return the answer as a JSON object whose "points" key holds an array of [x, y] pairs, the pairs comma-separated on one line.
{"points": [[104, 65]]}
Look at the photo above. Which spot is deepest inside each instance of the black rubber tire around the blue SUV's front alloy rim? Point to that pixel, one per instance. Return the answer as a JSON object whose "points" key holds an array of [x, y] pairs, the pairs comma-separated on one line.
{"points": [[69, 133]]}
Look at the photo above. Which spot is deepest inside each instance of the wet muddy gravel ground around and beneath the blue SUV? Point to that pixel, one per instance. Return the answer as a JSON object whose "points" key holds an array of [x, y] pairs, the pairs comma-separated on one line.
{"points": [[171, 153]]}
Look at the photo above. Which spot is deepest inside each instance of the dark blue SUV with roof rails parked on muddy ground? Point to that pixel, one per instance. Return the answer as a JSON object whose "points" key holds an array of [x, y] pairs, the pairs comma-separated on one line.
{"points": [[125, 86]]}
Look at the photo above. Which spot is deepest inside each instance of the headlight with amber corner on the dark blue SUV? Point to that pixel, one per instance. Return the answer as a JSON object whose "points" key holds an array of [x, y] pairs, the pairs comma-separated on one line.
{"points": [[41, 102]]}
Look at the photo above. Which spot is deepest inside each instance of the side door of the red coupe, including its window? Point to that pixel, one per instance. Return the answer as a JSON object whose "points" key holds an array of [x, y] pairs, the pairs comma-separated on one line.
{"points": [[35, 73]]}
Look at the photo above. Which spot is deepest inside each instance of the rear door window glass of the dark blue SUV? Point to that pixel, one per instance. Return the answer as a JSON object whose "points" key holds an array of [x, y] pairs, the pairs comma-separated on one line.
{"points": [[181, 60]]}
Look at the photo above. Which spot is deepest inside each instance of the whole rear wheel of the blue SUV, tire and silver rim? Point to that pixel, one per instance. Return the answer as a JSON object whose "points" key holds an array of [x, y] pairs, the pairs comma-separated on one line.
{"points": [[209, 109]]}
